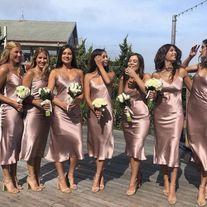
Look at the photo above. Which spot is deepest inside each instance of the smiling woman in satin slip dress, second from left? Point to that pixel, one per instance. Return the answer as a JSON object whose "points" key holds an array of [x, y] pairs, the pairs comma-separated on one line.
{"points": [[35, 137]]}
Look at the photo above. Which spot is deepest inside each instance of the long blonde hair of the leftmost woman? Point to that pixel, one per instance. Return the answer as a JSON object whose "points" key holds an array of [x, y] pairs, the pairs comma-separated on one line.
{"points": [[6, 52]]}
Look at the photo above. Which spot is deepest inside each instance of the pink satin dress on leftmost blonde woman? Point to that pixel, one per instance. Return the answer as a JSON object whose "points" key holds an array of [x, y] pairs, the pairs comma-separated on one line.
{"points": [[11, 124]]}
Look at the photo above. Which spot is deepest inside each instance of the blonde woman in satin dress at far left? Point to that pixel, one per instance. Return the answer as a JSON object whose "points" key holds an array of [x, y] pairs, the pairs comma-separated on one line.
{"points": [[11, 117]]}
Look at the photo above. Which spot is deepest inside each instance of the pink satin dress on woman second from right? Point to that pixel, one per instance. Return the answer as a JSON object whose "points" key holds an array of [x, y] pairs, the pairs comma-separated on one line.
{"points": [[168, 123]]}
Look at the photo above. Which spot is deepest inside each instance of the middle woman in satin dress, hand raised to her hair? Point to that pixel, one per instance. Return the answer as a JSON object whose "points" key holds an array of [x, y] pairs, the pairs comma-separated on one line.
{"points": [[98, 84]]}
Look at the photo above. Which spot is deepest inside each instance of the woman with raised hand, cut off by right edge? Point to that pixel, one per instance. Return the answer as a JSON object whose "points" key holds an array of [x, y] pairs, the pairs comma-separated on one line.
{"points": [[196, 117]]}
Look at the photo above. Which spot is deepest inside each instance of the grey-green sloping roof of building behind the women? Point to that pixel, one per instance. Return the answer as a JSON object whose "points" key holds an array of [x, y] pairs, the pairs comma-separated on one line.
{"points": [[38, 31]]}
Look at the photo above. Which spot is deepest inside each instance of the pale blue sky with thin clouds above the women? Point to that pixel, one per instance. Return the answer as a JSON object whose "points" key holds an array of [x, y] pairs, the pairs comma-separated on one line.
{"points": [[105, 23]]}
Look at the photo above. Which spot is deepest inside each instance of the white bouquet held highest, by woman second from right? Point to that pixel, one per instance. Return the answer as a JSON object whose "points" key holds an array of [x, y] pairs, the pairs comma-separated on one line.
{"points": [[152, 84]]}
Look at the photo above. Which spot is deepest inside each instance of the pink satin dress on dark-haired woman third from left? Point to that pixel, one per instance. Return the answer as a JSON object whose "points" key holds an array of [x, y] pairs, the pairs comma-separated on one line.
{"points": [[66, 128]]}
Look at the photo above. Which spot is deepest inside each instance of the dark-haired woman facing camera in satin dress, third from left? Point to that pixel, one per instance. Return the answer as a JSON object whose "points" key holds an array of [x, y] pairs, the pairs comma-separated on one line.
{"points": [[66, 129]]}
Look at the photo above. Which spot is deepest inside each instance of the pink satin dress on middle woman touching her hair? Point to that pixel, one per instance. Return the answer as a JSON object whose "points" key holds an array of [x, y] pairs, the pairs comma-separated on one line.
{"points": [[100, 139]]}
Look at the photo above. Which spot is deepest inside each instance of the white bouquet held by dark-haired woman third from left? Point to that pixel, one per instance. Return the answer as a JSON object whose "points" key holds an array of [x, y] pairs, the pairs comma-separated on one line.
{"points": [[73, 90]]}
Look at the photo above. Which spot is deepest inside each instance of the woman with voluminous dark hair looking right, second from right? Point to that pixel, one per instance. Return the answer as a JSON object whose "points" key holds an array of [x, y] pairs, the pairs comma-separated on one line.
{"points": [[168, 115]]}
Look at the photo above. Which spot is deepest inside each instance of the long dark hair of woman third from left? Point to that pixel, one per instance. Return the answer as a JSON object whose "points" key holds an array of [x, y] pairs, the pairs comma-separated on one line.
{"points": [[59, 59]]}
